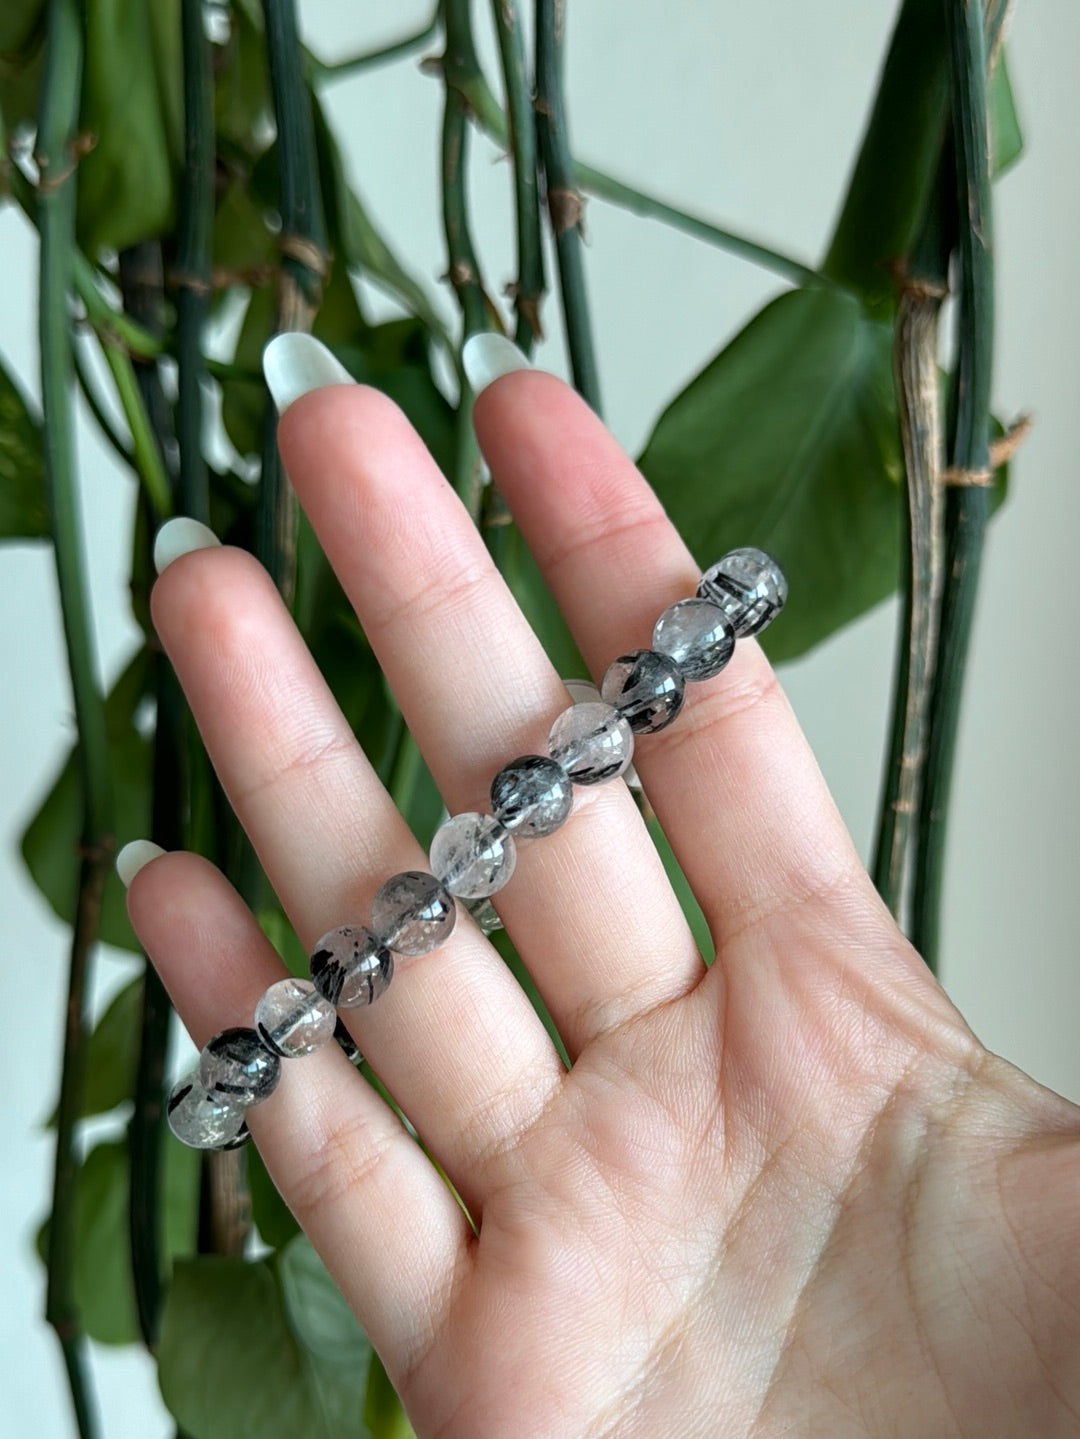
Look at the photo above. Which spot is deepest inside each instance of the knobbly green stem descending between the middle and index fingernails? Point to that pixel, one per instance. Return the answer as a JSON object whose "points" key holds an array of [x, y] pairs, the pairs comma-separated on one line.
{"points": [[461, 63]]}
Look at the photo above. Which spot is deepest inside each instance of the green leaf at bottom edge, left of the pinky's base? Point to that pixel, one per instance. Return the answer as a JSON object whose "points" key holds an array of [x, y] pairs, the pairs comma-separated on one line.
{"points": [[264, 1349]]}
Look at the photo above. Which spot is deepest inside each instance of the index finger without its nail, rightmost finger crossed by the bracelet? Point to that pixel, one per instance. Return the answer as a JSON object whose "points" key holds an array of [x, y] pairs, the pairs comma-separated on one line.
{"points": [[733, 782]]}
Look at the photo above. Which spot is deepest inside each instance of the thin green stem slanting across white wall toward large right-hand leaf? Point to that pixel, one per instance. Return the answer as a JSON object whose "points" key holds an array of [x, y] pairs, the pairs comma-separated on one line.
{"points": [[605, 186]]}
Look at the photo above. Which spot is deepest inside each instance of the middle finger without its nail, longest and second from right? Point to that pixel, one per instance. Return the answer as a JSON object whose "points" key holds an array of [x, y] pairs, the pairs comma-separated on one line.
{"points": [[589, 907]]}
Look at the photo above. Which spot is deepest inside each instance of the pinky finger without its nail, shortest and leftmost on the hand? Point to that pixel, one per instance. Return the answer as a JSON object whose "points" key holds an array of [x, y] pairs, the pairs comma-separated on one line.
{"points": [[385, 1222]]}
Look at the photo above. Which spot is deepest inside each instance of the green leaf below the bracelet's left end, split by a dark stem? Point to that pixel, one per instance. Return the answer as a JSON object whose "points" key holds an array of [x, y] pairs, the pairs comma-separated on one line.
{"points": [[104, 1290]]}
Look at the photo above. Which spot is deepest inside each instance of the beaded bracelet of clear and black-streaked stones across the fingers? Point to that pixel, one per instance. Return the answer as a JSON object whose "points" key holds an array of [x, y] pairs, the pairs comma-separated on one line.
{"points": [[472, 855]]}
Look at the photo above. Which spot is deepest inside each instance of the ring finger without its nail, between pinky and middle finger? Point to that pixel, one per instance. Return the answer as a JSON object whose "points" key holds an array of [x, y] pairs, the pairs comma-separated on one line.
{"points": [[454, 1038]]}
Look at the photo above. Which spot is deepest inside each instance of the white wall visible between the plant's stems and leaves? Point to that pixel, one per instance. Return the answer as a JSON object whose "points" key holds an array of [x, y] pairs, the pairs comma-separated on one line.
{"points": [[749, 114]]}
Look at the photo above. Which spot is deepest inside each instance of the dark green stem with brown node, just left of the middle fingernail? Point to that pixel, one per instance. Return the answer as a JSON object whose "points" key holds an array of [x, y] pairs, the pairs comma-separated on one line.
{"points": [[303, 273]]}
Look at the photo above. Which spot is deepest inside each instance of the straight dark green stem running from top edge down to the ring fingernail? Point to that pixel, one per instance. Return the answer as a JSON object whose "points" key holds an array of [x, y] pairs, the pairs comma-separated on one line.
{"points": [[192, 277]]}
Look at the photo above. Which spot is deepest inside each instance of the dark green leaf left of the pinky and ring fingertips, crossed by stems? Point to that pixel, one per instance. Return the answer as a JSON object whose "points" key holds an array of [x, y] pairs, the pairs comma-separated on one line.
{"points": [[51, 844]]}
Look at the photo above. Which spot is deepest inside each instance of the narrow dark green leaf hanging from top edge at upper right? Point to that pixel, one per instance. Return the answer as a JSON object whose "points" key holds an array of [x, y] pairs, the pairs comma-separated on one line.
{"points": [[898, 159]]}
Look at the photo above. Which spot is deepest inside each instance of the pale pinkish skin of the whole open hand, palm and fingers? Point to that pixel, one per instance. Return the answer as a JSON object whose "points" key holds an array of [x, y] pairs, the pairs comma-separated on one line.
{"points": [[792, 1195]]}
